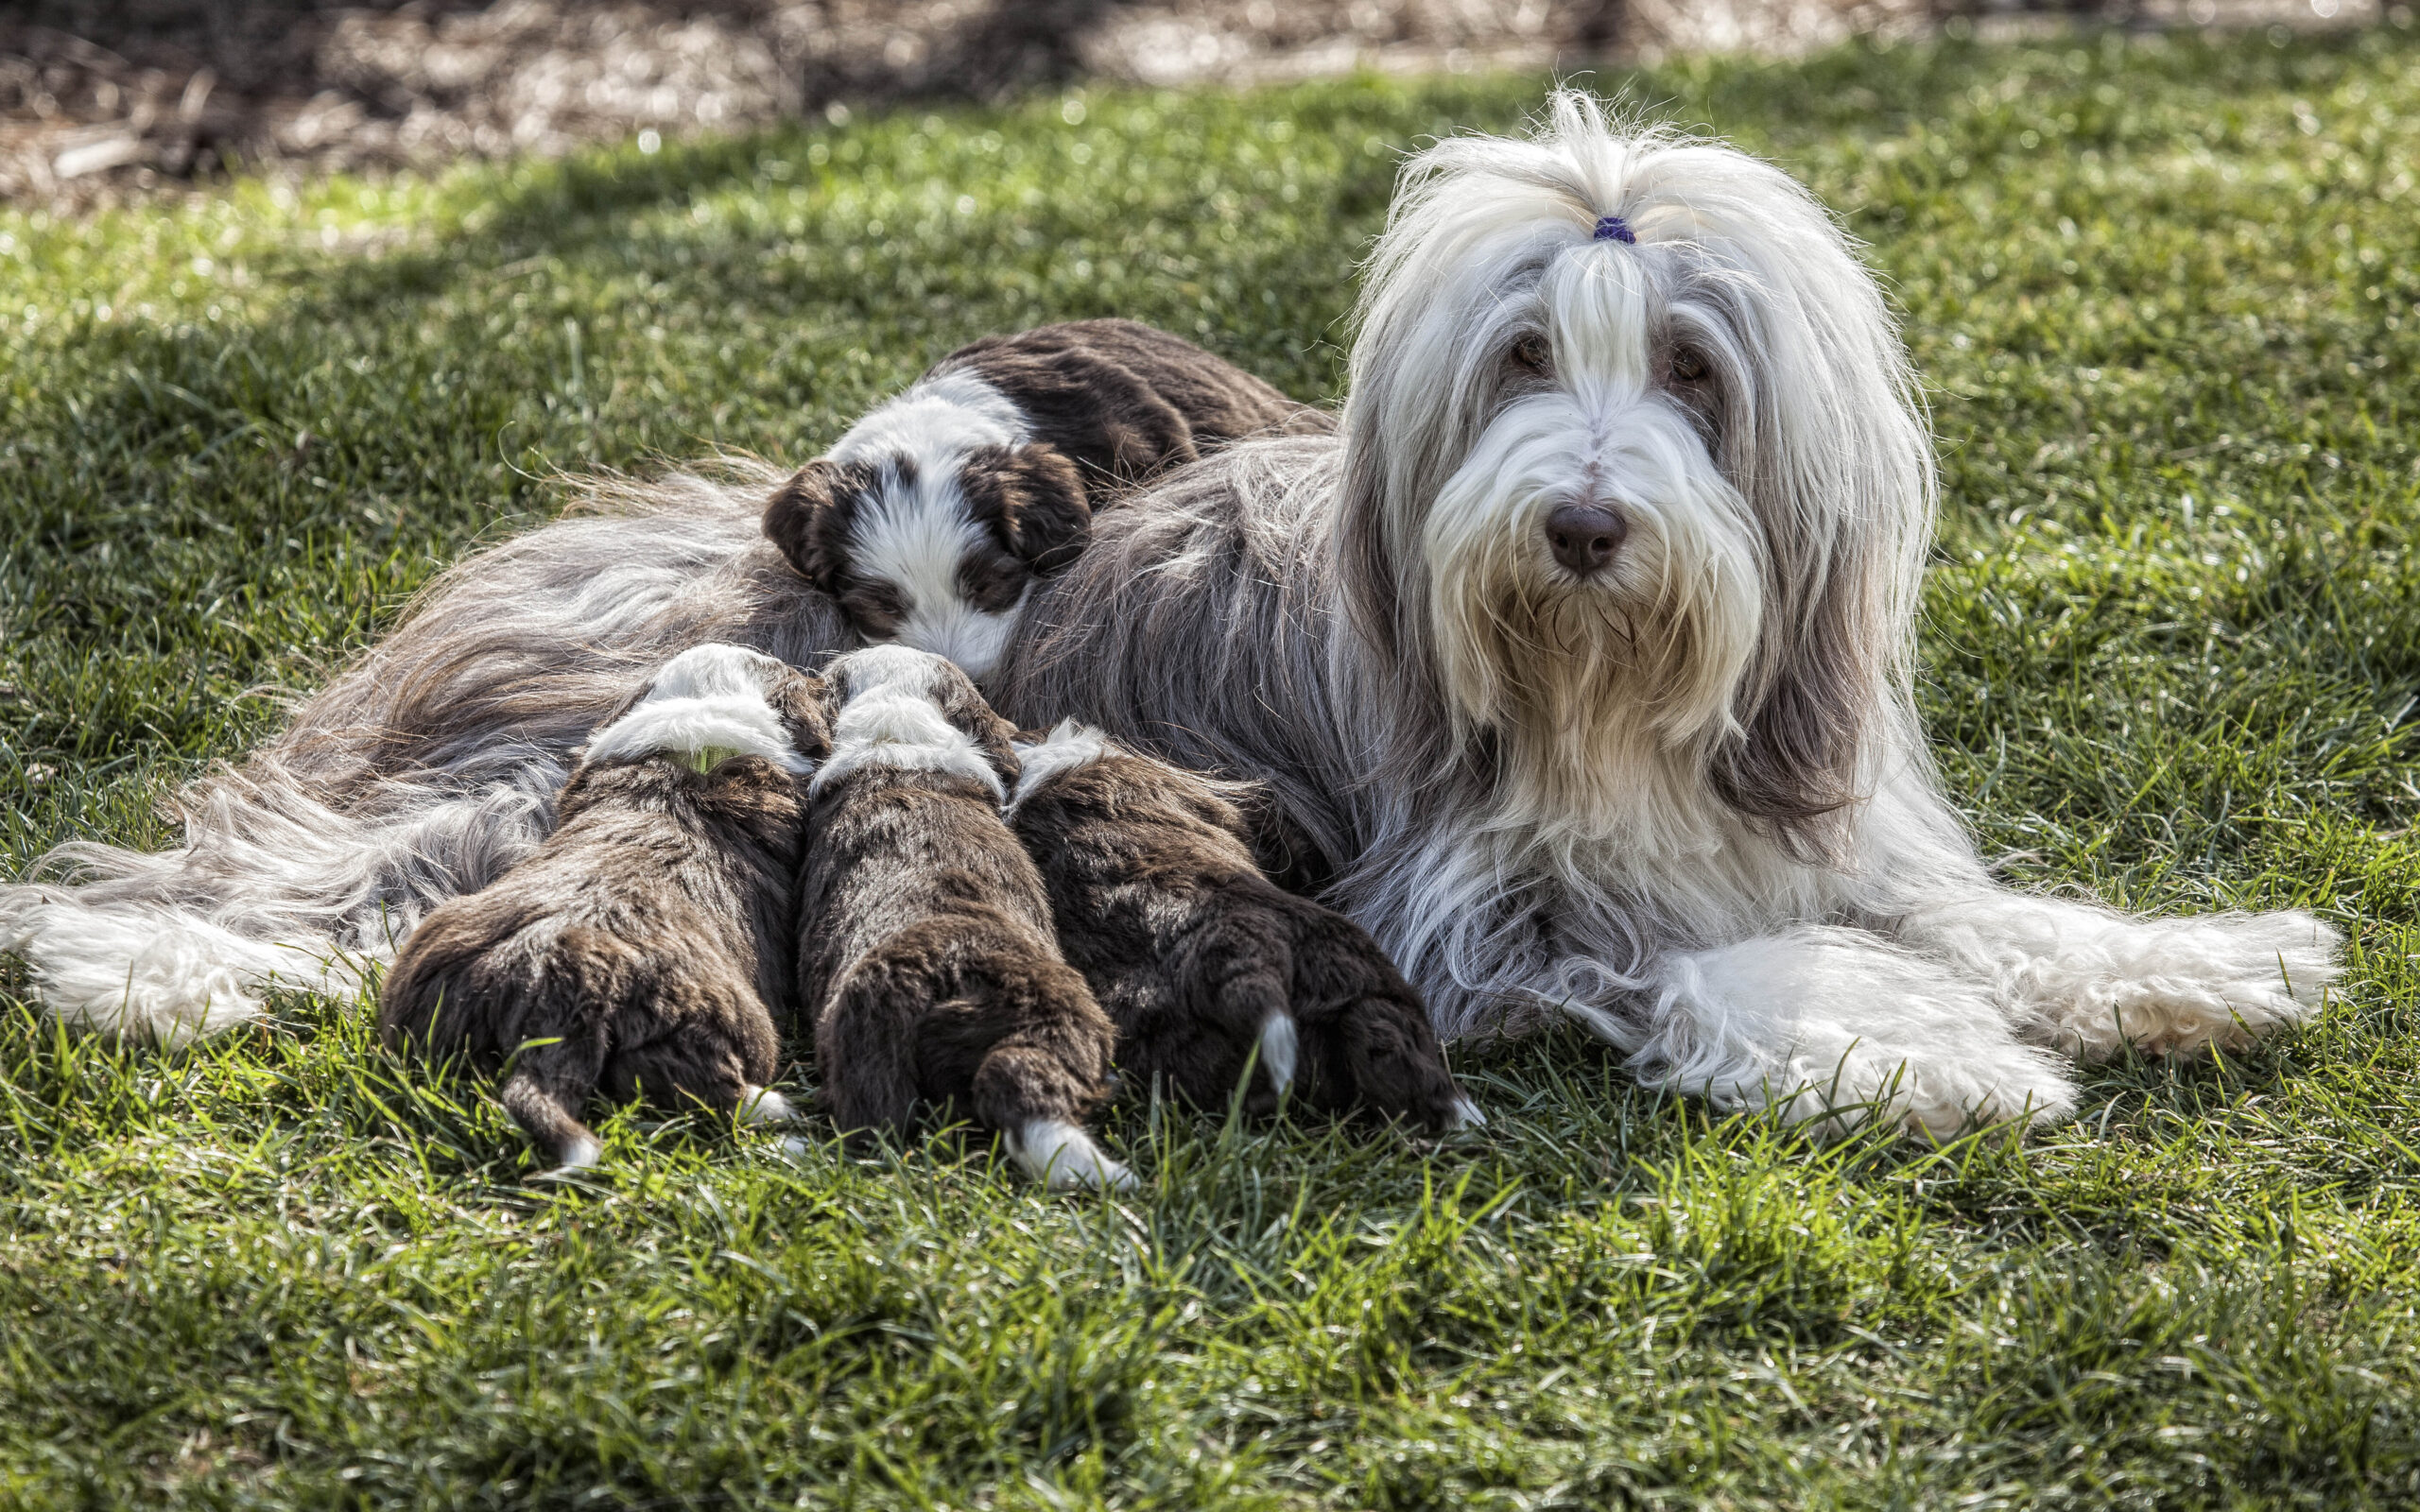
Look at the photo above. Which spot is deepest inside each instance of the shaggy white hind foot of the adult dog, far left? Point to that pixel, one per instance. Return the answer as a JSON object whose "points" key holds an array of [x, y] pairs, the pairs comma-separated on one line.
{"points": [[151, 974]]}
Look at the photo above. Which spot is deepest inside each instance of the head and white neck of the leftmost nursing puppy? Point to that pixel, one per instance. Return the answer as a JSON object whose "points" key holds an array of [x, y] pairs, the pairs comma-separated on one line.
{"points": [[718, 703]]}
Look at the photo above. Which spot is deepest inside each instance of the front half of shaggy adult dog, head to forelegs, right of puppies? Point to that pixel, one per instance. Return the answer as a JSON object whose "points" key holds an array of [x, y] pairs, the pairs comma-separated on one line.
{"points": [[1584, 657]]}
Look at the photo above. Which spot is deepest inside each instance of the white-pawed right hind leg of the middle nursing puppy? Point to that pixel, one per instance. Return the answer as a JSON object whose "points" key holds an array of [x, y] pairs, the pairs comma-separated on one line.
{"points": [[1047, 1075]]}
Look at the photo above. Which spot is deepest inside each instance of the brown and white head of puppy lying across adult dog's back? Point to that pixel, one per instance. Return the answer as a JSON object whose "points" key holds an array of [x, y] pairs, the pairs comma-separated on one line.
{"points": [[933, 541]]}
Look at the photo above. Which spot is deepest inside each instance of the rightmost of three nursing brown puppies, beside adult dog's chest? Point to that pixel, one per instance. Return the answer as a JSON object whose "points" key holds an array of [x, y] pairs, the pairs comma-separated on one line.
{"points": [[1202, 962]]}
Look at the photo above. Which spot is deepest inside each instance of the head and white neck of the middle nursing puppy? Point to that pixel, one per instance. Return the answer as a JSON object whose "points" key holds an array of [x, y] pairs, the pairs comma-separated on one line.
{"points": [[899, 708]]}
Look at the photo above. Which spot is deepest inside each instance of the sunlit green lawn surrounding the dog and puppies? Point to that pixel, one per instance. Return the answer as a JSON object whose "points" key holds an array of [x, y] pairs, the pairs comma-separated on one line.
{"points": [[2165, 296]]}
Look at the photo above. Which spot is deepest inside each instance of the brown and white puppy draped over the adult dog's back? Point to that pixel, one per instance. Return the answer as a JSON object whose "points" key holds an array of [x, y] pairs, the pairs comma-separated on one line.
{"points": [[943, 507]]}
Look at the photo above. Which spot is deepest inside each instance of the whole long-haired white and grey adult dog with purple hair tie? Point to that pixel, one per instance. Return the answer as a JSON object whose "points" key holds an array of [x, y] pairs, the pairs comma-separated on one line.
{"points": [[1581, 657]]}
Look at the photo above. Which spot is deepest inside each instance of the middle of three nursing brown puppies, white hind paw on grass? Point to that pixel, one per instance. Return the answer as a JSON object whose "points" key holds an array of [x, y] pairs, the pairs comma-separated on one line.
{"points": [[926, 945]]}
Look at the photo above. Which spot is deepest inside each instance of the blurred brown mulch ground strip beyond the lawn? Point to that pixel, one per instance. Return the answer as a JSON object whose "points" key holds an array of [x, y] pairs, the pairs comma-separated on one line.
{"points": [[103, 98]]}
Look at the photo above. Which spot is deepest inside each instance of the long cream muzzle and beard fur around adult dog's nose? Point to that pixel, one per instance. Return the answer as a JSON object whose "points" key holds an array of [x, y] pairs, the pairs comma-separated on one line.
{"points": [[1606, 698]]}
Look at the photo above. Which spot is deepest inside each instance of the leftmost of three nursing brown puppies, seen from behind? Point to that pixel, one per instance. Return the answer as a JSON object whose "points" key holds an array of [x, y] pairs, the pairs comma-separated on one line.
{"points": [[647, 945]]}
